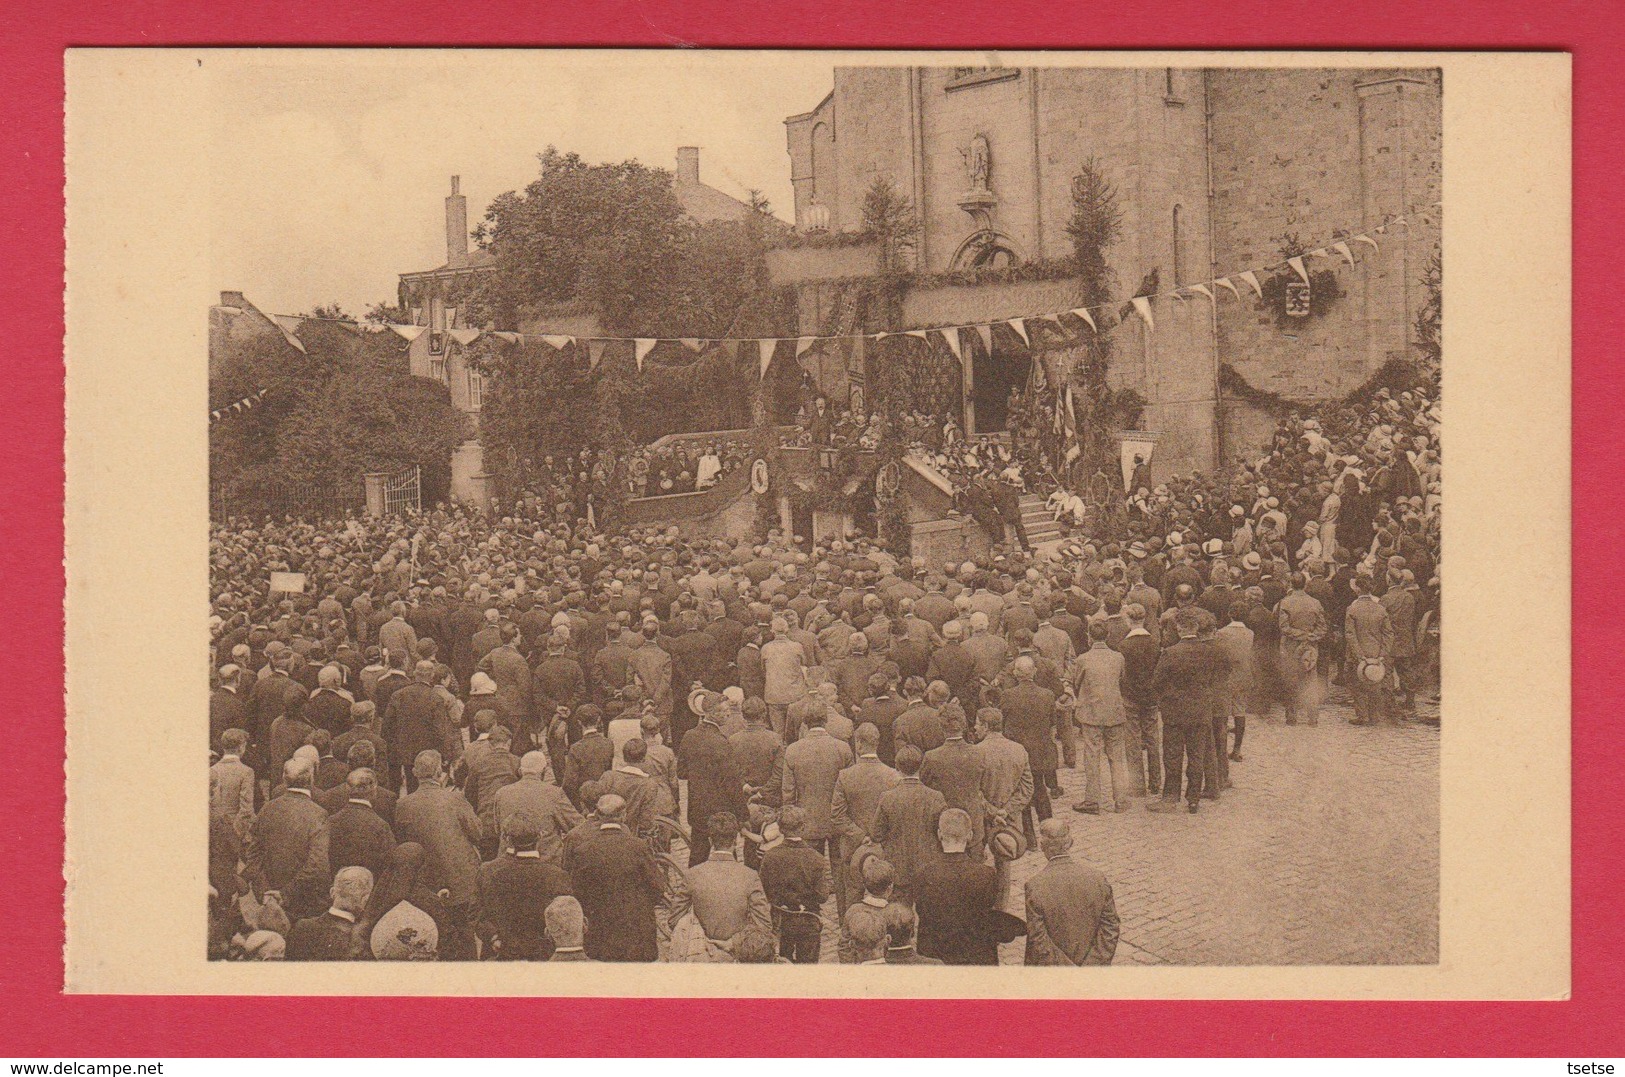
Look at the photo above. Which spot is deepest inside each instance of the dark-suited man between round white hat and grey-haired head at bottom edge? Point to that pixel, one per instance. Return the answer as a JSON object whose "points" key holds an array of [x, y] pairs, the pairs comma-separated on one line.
{"points": [[514, 891]]}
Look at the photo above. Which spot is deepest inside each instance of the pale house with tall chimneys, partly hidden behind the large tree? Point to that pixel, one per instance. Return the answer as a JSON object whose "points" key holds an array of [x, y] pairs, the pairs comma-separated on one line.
{"points": [[430, 298]]}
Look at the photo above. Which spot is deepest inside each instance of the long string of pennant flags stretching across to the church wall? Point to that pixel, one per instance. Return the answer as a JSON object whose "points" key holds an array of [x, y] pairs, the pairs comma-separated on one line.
{"points": [[769, 347]]}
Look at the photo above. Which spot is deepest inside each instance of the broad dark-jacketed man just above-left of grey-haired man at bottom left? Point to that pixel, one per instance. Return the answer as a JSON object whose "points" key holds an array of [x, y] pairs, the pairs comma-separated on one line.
{"points": [[288, 846]]}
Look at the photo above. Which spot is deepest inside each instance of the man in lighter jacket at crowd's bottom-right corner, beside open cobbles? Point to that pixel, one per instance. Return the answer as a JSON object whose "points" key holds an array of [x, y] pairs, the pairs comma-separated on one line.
{"points": [[1072, 919]]}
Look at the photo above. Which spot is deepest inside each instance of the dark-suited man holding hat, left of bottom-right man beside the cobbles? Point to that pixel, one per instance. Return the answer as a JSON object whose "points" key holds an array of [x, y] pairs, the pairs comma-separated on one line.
{"points": [[956, 899]]}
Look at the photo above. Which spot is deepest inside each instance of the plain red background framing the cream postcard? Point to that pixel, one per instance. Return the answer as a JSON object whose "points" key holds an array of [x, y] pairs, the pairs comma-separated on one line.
{"points": [[38, 1019]]}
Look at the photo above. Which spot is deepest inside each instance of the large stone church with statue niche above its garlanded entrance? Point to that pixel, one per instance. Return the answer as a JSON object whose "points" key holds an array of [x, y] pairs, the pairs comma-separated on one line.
{"points": [[1216, 171]]}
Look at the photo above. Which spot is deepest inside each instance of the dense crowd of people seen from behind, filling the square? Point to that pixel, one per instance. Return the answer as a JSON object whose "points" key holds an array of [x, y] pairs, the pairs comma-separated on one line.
{"points": [[514, 737]]}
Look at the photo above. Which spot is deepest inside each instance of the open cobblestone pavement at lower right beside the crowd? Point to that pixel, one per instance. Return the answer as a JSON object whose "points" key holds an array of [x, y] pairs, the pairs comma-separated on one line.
{"points": [[1325, 852]]}
